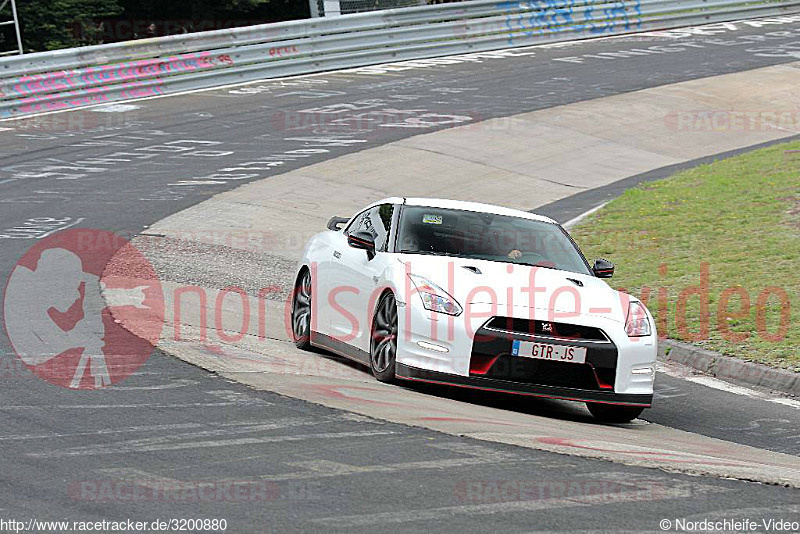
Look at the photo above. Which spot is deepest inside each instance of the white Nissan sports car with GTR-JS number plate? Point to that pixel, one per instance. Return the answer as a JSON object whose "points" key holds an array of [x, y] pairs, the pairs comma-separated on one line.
{"points": [[476, 296]]}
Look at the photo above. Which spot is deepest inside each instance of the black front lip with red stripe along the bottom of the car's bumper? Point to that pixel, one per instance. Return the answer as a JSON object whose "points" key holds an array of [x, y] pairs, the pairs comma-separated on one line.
{"points": [[405, 372]]}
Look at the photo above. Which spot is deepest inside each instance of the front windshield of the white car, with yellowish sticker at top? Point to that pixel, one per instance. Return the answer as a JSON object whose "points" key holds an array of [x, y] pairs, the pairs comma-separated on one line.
{"points": [[486, 236]]}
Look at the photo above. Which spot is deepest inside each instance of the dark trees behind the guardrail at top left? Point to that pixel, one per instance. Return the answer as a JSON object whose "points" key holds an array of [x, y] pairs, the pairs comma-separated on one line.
{"points": [[53, 24]]}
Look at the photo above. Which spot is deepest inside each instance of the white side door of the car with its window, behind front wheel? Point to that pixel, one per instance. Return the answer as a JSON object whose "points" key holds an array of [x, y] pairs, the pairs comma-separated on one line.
{"points": [[352, 301]]}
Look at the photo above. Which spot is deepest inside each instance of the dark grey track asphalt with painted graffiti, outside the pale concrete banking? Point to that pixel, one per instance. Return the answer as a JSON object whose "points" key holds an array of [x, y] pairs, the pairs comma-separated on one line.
{"points": [[172, 421]]}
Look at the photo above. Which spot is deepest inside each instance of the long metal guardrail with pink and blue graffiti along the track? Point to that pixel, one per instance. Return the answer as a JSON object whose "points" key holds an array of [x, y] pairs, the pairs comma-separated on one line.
{"points": [[76, 77]]}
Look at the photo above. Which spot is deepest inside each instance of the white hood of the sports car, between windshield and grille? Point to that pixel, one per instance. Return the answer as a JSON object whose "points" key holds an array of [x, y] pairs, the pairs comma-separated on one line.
{"points": [[509, 286]]}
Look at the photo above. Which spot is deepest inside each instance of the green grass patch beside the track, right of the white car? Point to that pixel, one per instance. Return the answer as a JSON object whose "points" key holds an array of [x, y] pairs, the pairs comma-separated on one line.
{"points": [[738, 220]]}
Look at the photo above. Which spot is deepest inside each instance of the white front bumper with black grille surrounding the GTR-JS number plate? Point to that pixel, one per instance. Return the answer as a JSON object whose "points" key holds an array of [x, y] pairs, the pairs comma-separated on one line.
{"points": [[477, 353]]}
